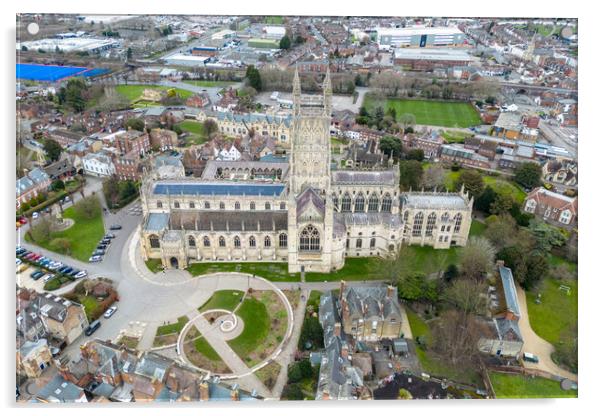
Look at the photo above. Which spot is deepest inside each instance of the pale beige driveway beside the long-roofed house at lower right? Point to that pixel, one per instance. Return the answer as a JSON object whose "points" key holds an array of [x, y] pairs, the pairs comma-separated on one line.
{"points": [[536, 345]]}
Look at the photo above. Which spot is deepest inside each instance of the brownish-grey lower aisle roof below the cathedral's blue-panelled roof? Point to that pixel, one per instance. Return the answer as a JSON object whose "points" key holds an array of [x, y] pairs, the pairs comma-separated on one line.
{"points": [[229, 220]]}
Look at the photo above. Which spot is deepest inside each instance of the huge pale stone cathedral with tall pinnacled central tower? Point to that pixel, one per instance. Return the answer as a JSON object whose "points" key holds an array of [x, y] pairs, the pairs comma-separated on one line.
{"points": [[307, 211]]}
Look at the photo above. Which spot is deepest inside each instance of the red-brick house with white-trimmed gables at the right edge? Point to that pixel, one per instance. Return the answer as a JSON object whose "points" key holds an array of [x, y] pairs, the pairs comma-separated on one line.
{"points": [[552, 207]]}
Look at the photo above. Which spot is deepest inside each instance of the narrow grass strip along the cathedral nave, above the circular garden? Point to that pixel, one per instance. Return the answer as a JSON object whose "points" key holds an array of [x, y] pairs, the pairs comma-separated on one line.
{"points": [[277, 272]]}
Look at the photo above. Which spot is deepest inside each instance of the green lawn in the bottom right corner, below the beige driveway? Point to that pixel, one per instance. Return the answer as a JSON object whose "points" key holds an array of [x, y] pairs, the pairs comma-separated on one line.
{"points": [[510, 386]]}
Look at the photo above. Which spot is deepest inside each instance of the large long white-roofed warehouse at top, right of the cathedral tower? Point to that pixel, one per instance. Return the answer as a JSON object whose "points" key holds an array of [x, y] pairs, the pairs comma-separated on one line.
{"points": [[419, 37]]}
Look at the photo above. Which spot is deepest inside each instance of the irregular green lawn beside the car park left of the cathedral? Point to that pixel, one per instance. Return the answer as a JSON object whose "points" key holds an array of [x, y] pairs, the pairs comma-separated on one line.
{"points": [[84, 234]]}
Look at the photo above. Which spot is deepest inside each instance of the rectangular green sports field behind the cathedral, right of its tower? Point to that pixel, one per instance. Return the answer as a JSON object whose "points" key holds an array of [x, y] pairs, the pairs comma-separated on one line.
{"points": [[433, 113]]}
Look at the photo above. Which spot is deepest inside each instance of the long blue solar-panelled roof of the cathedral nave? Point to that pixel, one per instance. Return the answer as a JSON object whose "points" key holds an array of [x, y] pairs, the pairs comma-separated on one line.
{"points": [[223, 188]]}
